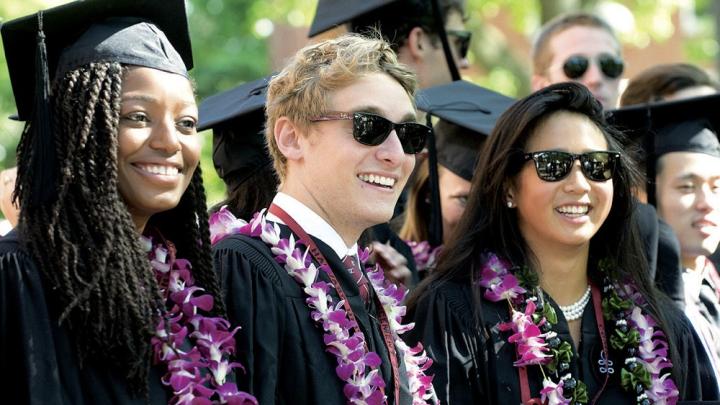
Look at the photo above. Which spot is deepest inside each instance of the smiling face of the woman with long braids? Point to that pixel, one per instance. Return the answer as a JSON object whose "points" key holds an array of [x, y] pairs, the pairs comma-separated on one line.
{"points": [[158, 145]]}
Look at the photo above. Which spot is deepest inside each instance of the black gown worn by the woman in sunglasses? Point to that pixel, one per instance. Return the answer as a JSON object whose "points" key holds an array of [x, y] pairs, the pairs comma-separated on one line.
{"points": [[474, 364]]}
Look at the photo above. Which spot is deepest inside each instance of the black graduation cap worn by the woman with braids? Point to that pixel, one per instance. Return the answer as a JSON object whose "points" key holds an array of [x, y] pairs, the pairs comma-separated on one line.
{"points": [[49, 43]]}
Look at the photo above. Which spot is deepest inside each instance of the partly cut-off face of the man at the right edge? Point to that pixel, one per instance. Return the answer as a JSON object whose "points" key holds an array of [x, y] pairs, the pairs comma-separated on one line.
{"points": [[688, 199]]}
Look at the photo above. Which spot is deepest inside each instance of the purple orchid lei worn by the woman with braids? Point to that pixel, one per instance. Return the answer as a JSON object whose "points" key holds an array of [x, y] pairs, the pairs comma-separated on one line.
{"points": [[197, 374]]}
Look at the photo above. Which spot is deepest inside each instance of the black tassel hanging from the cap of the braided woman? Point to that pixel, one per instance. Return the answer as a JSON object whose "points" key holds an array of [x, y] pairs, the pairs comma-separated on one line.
{"points": [[42, 158]]}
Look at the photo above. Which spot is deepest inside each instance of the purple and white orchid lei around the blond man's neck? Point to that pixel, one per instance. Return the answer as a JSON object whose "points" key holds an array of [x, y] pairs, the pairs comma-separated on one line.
{"points": [[349, 348]]}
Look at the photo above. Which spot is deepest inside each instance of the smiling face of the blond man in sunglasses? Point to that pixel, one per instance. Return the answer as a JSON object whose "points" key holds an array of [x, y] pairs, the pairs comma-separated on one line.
{"points": [[351, 185]]}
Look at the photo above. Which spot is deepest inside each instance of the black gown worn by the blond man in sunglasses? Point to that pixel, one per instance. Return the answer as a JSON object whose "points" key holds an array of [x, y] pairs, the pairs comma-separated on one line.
{"points": [[279, 345]]}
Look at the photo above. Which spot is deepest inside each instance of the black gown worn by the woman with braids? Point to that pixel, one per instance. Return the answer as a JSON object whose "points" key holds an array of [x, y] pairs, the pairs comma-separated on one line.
{"points": [[38, 361]]}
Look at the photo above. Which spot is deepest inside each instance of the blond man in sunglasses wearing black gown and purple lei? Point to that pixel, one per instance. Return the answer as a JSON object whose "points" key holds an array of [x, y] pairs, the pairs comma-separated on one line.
{"points": [[318, 326]]}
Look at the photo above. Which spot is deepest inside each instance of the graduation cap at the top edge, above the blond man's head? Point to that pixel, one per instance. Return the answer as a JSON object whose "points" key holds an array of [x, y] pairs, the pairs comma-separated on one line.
{"points": [[331, 13]]}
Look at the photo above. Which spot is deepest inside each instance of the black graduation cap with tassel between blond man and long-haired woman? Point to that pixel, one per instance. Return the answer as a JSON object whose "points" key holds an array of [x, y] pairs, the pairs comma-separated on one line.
{"points": [[466, 105]]}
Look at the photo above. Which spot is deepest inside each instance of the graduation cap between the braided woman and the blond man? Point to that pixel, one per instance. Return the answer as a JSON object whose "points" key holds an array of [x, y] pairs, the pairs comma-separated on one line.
{"points": [[237, 118]]}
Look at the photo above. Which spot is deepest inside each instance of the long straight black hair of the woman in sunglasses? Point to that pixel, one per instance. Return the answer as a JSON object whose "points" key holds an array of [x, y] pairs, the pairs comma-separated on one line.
{"points": [[489, 225]]}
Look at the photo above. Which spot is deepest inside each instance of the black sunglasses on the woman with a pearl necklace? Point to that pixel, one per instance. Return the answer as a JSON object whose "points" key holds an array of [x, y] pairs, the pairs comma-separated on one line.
{"points": [[552, 165]]}
